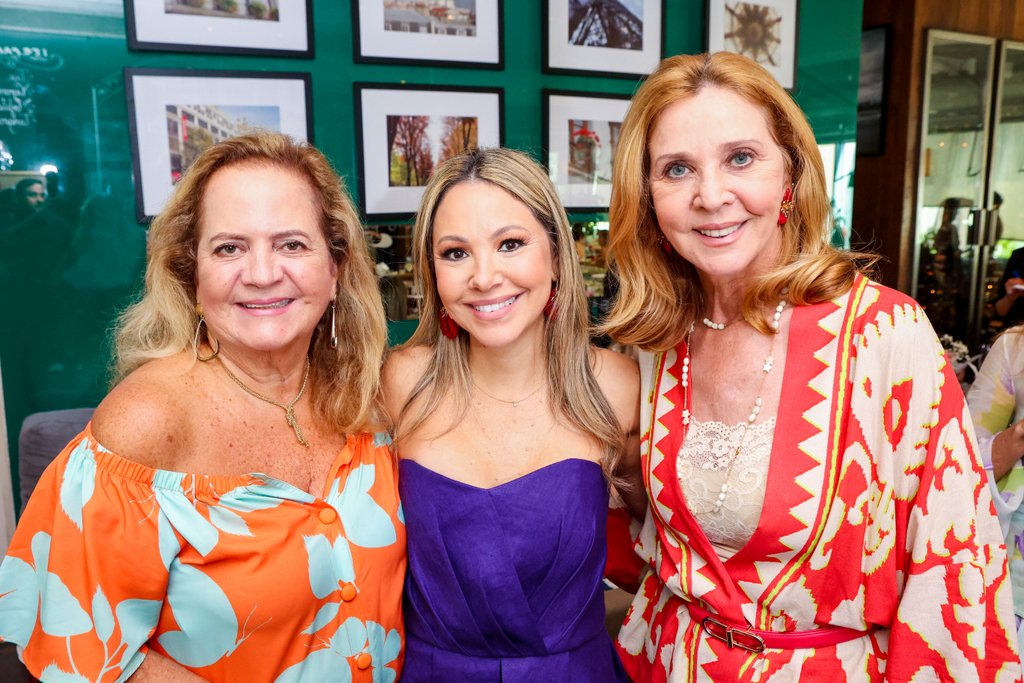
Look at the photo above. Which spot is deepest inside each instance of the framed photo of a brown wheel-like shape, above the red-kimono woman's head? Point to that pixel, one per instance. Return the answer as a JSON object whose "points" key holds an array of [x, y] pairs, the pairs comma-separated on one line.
{"points": [[763, 30]]}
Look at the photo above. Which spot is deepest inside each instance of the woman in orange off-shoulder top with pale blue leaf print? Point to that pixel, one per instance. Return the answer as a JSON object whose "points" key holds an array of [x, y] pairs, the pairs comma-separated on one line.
{"points": [[229, 515]]}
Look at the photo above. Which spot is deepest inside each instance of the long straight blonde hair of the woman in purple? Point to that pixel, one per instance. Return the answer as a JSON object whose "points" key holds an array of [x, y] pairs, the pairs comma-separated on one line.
{"points": [[573, 390]]}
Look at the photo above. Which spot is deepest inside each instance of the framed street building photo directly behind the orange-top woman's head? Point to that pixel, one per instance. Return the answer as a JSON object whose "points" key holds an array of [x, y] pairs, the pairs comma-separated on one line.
{"points": [[176, 115]]}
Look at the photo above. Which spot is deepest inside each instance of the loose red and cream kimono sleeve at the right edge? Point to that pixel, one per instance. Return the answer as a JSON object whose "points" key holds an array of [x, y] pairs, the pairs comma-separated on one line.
{"points": [[934, 534]]}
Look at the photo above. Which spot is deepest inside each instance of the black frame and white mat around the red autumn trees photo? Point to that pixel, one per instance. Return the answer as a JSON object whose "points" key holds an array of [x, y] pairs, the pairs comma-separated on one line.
{"points": [[382, 200]]}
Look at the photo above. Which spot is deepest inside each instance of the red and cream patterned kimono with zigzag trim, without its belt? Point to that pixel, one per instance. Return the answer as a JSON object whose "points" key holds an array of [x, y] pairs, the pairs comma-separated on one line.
{"points": [[877, 519]]}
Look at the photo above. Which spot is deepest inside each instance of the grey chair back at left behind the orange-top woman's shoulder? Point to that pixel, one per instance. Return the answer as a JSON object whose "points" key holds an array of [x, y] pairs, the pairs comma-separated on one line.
{"points": [[45, 436]]}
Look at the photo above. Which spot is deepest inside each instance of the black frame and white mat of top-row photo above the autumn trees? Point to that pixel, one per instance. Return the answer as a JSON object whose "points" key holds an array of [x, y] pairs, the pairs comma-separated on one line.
{"points": [[374, 44]]}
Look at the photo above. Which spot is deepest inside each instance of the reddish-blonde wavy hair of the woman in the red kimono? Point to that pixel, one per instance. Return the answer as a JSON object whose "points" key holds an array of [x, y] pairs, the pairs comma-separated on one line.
{"points": [[660, 294]]}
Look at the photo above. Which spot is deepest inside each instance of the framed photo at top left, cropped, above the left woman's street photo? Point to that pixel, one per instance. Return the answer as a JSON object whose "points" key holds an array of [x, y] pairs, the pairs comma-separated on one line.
{"points": [[277, 28]]}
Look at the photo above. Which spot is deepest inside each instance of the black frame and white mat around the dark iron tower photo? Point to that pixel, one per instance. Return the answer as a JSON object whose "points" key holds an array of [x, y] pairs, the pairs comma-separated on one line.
{"points": [[572, 59]]}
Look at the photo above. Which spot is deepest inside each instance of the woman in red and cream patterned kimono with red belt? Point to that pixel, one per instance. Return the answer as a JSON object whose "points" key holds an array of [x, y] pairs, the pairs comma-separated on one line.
{"points": [[819, 510]]}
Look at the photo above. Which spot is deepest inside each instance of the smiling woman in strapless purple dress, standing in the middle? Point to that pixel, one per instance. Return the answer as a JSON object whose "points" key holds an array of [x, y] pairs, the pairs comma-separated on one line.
{"points": [[509, 426]]}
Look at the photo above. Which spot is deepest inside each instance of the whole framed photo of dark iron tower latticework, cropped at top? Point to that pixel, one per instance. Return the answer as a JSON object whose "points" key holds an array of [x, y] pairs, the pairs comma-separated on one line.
{"points": [[613, 38]]}
